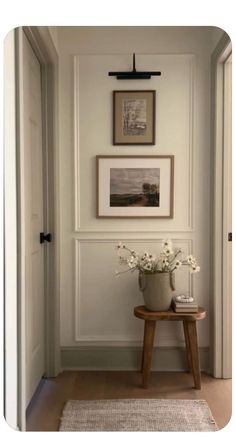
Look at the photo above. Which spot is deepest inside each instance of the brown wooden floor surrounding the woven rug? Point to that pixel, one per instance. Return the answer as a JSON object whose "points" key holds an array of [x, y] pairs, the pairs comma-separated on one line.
{"points": [[45, 410]]}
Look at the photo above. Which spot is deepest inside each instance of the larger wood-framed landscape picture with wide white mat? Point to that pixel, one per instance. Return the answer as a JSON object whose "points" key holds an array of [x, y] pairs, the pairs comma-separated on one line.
{"points": [[135, 186]]}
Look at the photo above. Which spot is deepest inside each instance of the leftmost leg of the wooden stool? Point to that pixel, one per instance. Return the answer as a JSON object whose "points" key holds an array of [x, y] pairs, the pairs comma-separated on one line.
{"points": [[149, 331]]}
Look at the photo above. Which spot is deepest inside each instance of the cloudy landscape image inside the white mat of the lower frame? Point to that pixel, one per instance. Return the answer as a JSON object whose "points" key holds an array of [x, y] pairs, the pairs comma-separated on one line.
{"points": [[134, 187]]}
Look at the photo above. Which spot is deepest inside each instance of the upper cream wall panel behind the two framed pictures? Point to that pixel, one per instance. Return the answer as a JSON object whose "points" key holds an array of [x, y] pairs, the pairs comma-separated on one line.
{"points": [[93, 133]]}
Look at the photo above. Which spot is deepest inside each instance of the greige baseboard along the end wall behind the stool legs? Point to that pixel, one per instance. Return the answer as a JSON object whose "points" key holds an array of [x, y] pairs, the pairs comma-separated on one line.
{"points": [[127, 358]]}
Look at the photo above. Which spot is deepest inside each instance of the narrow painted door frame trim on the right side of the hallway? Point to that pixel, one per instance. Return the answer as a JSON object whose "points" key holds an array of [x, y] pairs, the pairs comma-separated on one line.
{"points": [[219, 56]]}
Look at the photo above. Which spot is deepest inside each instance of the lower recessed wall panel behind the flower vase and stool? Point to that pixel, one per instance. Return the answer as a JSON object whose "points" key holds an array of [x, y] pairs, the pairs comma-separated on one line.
{"points": [[104, 302]]}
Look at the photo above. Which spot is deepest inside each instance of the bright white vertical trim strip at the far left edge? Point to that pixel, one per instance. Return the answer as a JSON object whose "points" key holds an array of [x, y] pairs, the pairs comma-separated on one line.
{"points": [[10, 219]]}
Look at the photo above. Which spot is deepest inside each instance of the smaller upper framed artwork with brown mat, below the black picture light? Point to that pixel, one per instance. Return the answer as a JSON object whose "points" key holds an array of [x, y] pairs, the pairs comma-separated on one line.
{"points": [[134, 117]]}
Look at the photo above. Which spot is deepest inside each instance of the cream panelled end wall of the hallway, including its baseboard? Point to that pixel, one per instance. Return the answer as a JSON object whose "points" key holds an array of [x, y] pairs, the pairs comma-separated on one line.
{"points": [[97, 325]]}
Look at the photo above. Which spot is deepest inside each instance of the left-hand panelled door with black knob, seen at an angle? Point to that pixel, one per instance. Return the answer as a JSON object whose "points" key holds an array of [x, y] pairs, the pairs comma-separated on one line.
{"points": [[32, 205]]}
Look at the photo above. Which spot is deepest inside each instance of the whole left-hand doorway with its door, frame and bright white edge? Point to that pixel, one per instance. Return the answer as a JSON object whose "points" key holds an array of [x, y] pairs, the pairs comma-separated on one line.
{"points": [[32, 311]]}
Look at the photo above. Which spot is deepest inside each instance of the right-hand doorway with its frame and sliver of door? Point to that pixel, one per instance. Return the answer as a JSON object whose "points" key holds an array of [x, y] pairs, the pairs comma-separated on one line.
{"points": [[222, 209]]}
